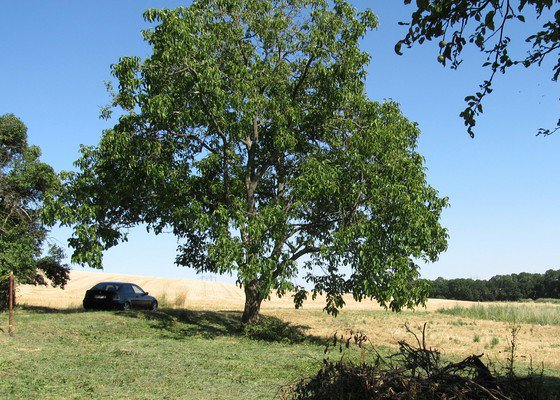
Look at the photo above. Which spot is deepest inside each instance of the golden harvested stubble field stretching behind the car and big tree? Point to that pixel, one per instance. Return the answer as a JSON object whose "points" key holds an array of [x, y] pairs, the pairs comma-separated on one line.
{"points": [[453, 335]]}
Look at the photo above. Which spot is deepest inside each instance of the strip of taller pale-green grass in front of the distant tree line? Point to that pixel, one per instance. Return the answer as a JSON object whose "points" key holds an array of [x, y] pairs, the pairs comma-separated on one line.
{"points": [[518, 313]]}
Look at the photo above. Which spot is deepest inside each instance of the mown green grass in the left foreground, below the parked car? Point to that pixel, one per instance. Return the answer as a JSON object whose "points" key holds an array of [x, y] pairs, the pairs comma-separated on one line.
{"points": [[168, 354]]}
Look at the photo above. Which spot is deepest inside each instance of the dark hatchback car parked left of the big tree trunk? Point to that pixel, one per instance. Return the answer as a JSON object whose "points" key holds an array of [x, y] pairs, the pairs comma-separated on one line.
{"points": [[118, 295]]}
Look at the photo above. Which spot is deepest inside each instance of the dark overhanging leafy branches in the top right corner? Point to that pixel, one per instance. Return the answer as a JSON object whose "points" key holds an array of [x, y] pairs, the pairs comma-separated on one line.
{"points": [[487, 25]]}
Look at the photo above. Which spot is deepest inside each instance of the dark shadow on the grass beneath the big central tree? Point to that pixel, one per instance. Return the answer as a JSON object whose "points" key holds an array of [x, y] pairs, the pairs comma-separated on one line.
{"points": [[181, 323]]}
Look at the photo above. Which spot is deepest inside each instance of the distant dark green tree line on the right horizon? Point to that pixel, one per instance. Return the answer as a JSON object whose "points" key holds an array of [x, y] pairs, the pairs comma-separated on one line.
{"points": [[500, 287]]}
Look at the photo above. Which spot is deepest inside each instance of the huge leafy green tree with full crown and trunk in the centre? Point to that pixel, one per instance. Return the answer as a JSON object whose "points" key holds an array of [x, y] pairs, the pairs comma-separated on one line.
{"points": [[248, 133]]}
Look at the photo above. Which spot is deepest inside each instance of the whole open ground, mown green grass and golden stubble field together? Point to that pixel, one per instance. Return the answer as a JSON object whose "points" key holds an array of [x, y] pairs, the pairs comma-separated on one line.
{"points": [[197, 349]]}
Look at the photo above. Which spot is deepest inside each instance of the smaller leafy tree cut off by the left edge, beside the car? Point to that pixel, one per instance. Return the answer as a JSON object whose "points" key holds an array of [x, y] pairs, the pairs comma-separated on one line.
{"points": [[24, 183]]}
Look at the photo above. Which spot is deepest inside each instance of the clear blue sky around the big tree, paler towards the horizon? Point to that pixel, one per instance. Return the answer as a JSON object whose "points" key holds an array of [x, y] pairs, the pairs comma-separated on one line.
{"points": [[504, 186]]}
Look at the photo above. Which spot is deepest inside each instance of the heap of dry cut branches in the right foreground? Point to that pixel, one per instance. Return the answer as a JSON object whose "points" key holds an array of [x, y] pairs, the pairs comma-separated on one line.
{"points": [[413, 372]]}
